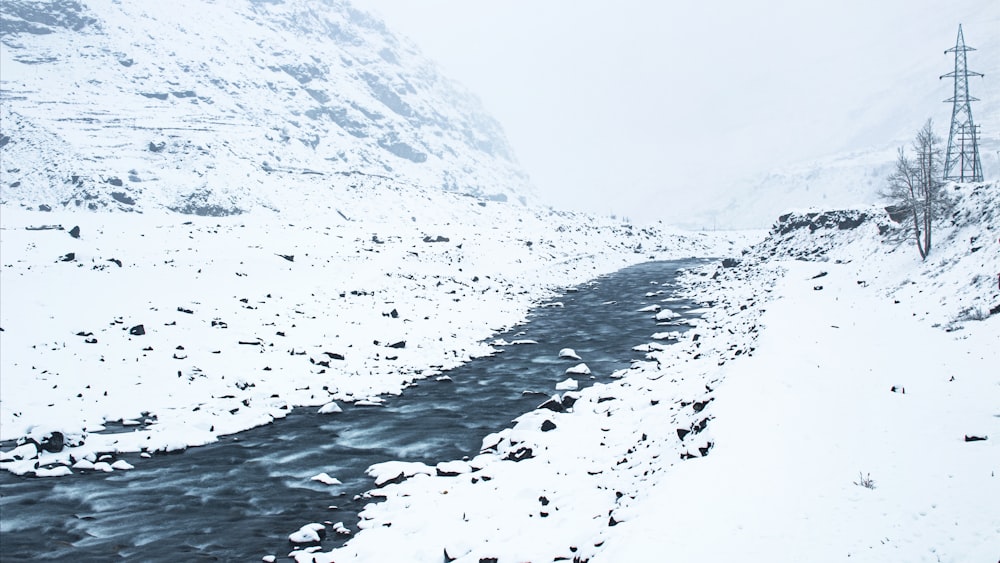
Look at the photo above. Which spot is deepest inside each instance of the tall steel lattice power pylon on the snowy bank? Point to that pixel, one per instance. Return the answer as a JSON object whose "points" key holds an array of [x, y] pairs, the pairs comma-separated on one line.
{"points": [[962, 160]]}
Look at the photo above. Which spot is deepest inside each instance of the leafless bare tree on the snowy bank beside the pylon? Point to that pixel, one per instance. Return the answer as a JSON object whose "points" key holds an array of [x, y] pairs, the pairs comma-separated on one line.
{"points": [[916, 189]]}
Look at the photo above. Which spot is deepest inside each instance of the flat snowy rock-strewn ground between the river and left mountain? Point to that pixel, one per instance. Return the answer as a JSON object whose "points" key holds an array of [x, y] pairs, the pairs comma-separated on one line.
{"points": [[155, 332]]}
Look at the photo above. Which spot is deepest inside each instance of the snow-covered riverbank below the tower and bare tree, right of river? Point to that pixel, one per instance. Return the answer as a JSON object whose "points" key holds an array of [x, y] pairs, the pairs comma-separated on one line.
{"points": [[829, 409]]}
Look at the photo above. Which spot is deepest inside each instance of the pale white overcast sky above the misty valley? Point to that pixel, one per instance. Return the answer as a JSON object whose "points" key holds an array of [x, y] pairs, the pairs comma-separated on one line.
{"points": [[623, 107]]}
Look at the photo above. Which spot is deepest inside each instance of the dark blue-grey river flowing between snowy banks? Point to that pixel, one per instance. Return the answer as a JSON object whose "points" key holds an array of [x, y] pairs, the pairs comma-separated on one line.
{"points": [[238, 499]]}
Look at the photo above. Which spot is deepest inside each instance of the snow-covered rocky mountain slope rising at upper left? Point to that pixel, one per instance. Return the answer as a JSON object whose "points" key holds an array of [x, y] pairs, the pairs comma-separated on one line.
{"points": [[218, 108]]}
